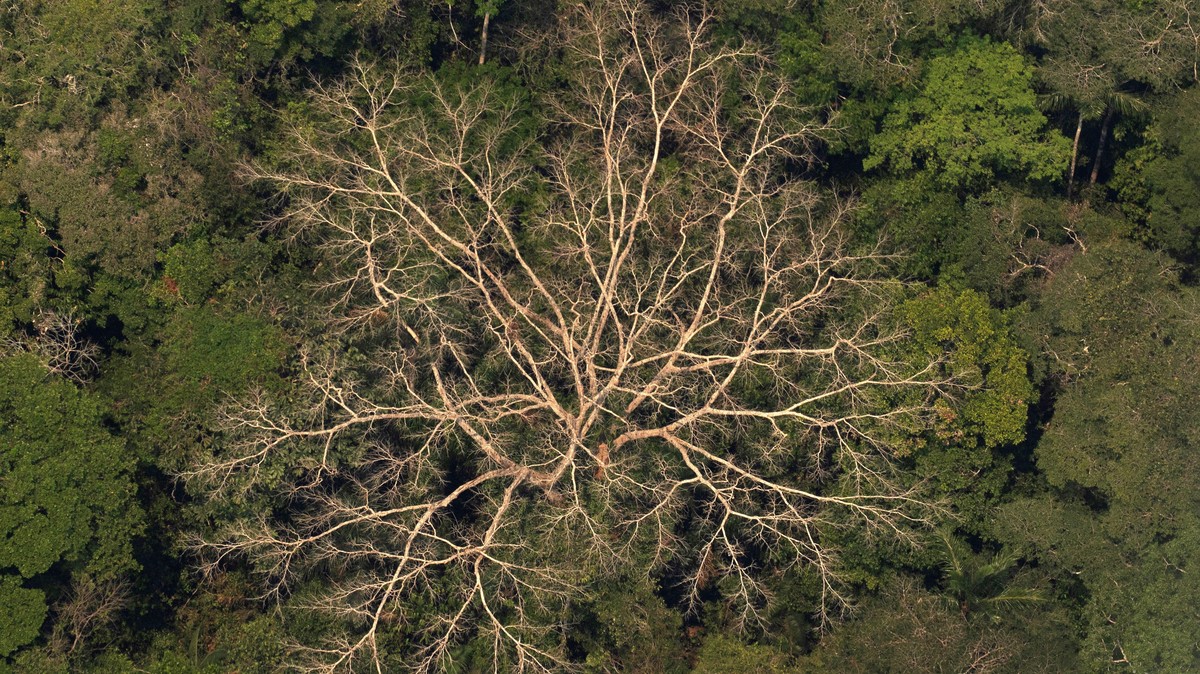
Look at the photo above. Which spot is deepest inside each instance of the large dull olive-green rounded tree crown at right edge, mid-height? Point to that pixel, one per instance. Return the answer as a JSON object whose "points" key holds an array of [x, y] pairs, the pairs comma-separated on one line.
{"points": [[1124, 339]]}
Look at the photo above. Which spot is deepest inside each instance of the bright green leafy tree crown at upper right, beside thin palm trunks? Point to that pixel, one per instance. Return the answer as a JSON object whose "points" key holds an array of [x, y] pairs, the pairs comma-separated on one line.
{"points": [[974, 121]]}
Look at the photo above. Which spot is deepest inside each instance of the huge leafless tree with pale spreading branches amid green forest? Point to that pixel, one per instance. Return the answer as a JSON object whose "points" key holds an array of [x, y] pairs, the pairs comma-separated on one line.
{"points": [[626, 338]]}
